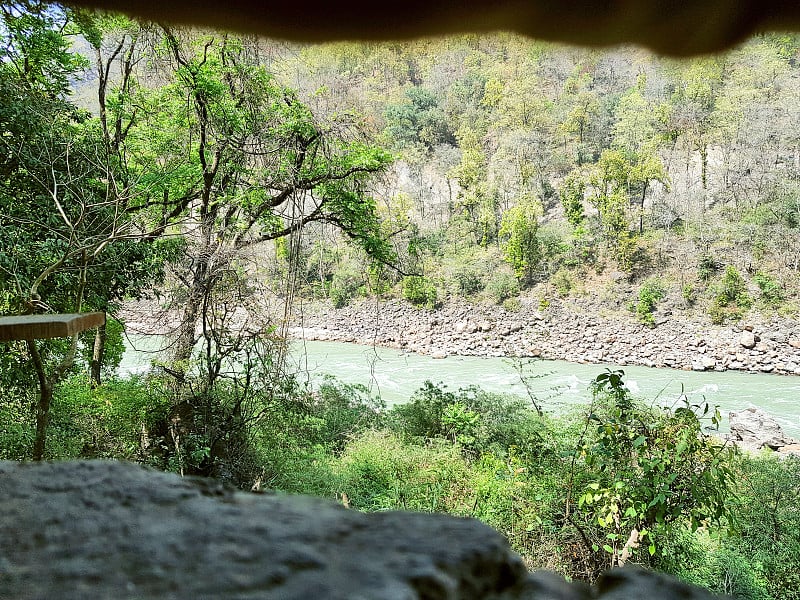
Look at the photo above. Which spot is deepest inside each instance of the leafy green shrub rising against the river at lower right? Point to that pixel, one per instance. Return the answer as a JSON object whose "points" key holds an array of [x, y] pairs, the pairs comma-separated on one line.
{"points": [[649, 468]]}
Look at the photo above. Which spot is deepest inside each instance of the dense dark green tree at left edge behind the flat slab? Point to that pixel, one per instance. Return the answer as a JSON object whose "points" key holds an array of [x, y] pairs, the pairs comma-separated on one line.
{"points": [[59, 223]]}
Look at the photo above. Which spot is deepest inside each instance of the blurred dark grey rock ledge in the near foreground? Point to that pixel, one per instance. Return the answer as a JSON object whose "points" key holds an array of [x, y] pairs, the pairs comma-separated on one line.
{"points": [[101, 529]]}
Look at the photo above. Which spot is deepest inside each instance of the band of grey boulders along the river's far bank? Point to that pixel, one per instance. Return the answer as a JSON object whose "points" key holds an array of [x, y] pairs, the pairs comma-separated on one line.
{"points": [[573, 329]]}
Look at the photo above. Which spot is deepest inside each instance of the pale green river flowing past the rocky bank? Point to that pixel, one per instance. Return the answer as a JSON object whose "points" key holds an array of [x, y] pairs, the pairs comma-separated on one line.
{"points": [[555, 384]]}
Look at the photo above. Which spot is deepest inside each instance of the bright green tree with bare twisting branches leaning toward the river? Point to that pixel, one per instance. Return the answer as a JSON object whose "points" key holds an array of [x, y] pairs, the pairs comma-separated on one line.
{"points": [[251, 164]]}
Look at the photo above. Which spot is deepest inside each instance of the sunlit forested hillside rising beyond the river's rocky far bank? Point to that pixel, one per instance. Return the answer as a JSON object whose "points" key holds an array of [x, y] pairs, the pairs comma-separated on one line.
{"points": [[520, 164]]}
